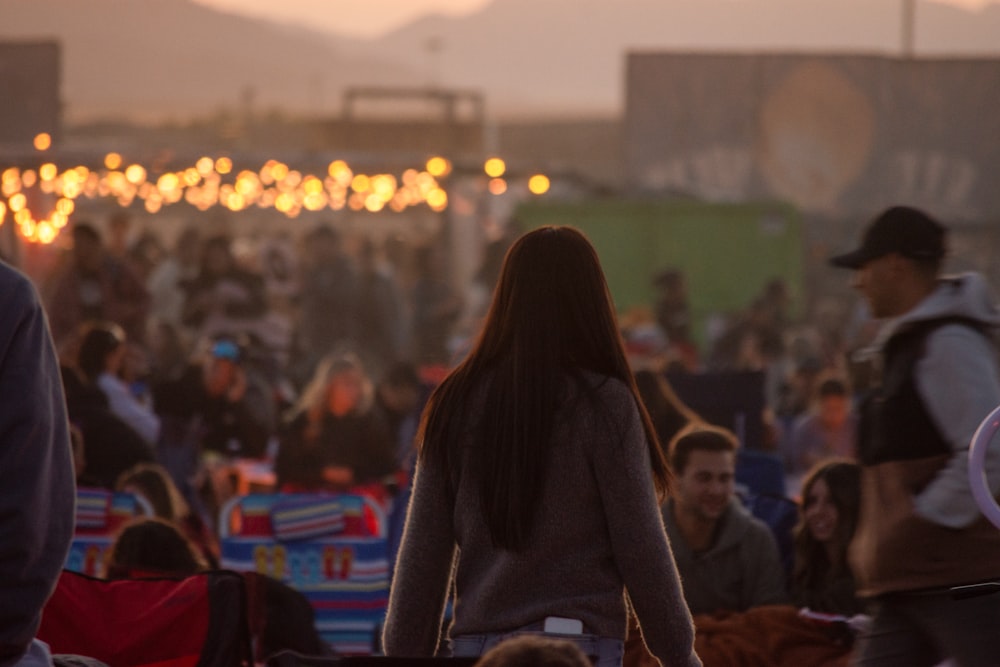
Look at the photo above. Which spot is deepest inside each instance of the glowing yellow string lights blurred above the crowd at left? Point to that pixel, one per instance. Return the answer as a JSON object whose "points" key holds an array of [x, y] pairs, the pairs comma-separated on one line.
{"points": [[213, 182]]}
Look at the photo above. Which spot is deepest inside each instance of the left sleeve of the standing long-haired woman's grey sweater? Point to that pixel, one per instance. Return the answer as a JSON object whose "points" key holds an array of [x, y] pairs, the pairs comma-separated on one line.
{"points": [[423, 569]]}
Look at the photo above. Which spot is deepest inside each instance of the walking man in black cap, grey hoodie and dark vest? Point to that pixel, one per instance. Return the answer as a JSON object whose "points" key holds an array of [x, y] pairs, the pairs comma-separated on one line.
{"points": [[920, 531]]}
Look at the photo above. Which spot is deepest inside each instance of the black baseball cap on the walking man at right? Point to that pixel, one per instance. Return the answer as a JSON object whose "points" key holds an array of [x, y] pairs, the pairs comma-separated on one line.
{"points": [[901, 229]]}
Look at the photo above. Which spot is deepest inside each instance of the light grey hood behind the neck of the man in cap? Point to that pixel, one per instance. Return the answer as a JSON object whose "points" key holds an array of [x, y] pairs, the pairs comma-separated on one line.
{"points": [[963, 295]]}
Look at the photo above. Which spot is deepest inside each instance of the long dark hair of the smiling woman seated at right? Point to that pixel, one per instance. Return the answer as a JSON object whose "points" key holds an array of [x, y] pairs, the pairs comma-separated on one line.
{"points": [[812, 564]]}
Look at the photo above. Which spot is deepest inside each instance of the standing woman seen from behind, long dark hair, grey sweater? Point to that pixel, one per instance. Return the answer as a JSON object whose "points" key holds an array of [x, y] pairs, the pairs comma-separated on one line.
{"points": [[536, 496]]}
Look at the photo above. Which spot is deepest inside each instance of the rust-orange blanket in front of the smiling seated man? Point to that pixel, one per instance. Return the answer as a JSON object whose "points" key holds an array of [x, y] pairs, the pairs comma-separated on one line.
{"points": [[772, 636]]}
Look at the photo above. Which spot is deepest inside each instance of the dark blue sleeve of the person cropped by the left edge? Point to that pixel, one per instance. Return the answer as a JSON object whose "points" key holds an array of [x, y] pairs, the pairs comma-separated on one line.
{"points": [[37, 492]]}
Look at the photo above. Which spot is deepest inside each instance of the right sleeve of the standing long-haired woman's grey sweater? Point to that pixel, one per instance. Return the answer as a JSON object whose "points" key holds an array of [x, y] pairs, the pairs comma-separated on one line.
{"points": [[639, 542]]}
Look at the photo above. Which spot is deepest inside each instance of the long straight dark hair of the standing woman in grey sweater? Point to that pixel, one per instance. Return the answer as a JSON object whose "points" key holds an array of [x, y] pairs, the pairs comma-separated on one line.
{"points": [[551, 319]]}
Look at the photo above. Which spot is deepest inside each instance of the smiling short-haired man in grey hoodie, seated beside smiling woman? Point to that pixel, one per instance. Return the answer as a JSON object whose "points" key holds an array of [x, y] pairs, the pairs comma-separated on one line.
{"points": [[727, 559]]}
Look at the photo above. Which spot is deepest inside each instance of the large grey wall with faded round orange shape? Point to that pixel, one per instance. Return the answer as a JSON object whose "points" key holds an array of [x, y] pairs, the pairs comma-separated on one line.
{"points": [[839, 136]]}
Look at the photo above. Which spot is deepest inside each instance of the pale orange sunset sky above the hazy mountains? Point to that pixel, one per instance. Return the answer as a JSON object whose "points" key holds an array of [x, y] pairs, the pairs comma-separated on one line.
{"points": [[365, 18]]}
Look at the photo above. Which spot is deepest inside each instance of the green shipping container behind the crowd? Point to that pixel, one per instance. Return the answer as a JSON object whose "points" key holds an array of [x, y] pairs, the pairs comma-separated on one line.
{"points": [[727, 252]]}
